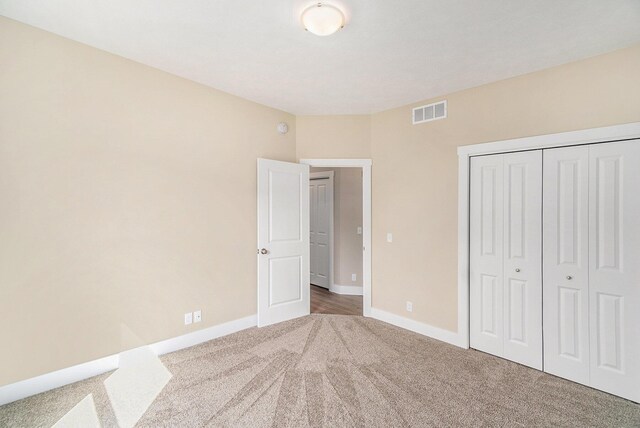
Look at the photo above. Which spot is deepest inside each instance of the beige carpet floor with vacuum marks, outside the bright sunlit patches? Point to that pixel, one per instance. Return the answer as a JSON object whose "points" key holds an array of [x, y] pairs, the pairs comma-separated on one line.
{"points": [[342, 371]]}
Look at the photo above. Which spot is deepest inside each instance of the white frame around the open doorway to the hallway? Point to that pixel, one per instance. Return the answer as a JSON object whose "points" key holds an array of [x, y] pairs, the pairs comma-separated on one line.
{"points": [[365, 164]]}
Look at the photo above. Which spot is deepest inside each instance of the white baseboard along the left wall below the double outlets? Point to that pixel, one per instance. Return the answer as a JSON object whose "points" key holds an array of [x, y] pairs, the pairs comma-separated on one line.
{"points": [[48, 381]]}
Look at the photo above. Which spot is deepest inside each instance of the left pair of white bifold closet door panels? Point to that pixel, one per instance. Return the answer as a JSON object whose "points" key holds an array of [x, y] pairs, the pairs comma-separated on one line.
{"points": [[505, 256]]}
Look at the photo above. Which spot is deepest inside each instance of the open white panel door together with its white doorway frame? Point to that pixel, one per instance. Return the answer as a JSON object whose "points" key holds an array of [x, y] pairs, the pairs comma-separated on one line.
{"points": [[283, 280]]}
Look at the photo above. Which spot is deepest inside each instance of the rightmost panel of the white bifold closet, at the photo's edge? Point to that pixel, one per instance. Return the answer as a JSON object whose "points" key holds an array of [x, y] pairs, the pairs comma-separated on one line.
{"points": [[614, 267]]}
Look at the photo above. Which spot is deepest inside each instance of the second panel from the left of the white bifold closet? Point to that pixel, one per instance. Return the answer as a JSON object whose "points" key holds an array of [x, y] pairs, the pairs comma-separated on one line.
{"points": [[523, 258]]}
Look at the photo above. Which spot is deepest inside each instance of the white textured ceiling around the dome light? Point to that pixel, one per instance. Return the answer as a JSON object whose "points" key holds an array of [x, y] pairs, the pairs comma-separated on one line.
{"points": [[390, 53]]}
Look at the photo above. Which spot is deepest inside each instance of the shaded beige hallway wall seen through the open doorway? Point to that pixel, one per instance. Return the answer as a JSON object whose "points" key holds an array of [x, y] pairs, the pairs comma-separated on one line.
{"points": [[347, 216]]}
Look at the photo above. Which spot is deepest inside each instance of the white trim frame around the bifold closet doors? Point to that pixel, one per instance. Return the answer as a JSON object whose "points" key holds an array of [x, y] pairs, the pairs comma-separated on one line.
{"points": [[574, 138]]}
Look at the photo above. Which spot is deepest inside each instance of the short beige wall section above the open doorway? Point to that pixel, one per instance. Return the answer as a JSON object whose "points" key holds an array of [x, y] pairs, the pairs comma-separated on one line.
{"points": [[319, 137]]}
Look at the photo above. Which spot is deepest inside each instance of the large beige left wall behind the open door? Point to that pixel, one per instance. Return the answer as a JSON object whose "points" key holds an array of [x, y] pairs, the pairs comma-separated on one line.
{"points": [[128, 199]]}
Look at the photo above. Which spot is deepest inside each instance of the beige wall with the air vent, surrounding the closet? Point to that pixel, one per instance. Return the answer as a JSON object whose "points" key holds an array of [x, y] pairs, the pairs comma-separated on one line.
{"points": [[415, 168]]}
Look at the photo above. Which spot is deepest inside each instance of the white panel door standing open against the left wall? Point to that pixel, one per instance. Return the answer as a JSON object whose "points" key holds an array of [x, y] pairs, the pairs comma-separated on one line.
{"points": [[283, 241]]}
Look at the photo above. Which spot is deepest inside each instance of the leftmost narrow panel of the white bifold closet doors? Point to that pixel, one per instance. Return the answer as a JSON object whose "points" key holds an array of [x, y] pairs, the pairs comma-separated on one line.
{"points": [[486, 254]]}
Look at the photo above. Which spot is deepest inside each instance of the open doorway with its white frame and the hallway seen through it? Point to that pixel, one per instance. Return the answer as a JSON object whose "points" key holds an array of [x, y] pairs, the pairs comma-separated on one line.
{"points": [[340, 227]]}
